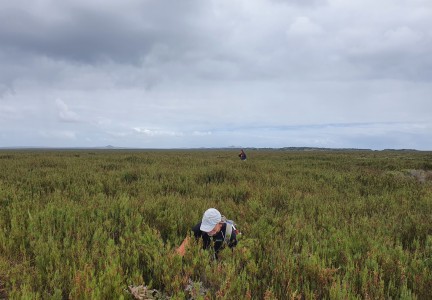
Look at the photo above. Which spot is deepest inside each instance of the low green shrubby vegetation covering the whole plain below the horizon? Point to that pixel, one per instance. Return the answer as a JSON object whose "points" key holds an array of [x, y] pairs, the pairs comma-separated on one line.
{"points": [[315, 224]]}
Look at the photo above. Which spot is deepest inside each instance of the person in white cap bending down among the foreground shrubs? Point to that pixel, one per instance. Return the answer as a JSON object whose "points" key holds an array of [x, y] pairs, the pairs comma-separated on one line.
{"points": [[213, 226]]}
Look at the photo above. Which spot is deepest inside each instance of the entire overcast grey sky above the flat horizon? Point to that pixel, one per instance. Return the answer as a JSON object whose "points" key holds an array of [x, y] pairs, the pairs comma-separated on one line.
{"points": [[216, 73]]}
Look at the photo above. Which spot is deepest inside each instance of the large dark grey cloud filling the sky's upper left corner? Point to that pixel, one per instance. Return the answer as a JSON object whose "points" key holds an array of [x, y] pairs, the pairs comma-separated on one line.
{"points": [[90, 34]]}
